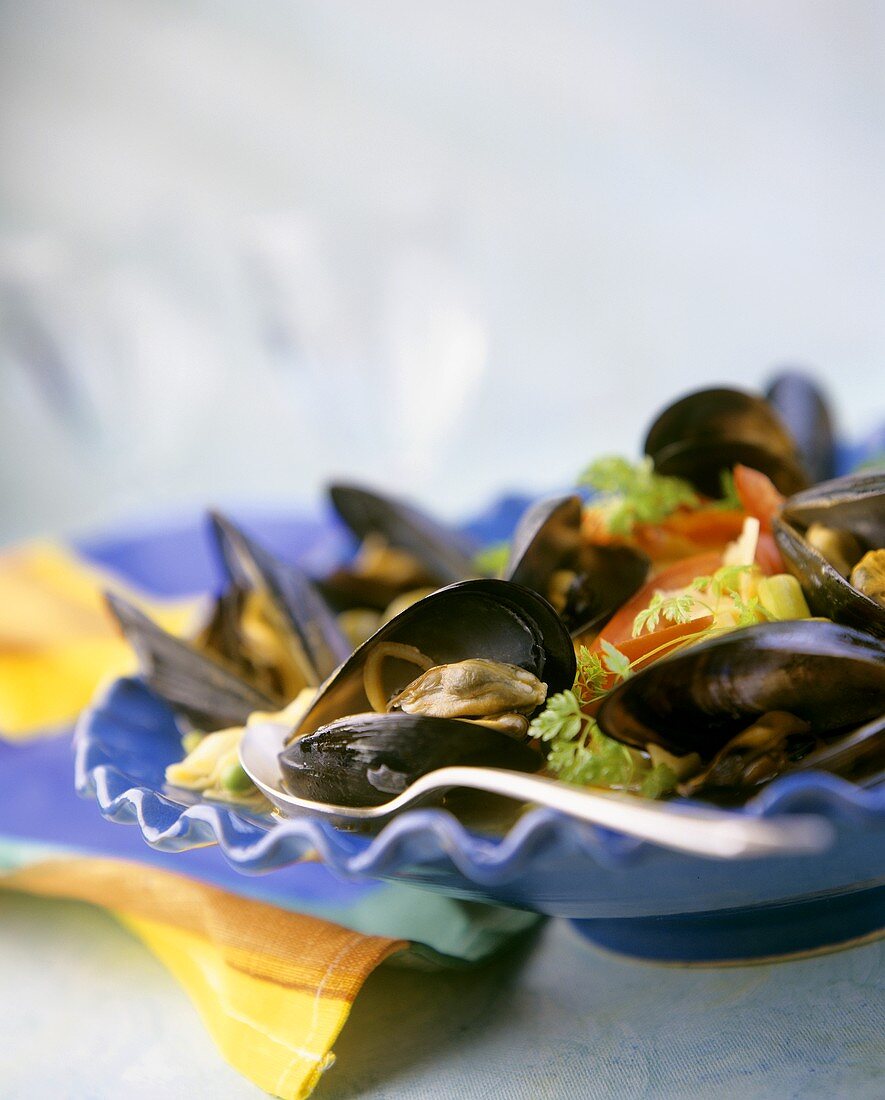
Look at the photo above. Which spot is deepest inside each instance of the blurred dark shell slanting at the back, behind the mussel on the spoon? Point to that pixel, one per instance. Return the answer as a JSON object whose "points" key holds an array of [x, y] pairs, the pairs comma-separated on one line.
{"points": [[445, 555]]}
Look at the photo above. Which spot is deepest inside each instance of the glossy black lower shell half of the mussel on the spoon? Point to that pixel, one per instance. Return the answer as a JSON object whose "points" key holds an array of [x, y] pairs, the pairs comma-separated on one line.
{"points": [[369, 760]]}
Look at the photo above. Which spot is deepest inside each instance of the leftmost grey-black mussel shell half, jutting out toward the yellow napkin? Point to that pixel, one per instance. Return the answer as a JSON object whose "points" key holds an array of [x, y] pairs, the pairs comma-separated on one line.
{"points": [[207, 692]]}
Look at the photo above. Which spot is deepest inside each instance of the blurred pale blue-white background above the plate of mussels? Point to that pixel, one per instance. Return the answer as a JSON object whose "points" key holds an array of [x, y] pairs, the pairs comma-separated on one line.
{"points": [[449, 248]]}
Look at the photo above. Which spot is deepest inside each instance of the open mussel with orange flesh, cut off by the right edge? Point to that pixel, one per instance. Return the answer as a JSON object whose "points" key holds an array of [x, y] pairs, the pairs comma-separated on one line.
{"points": [[825, 535]]}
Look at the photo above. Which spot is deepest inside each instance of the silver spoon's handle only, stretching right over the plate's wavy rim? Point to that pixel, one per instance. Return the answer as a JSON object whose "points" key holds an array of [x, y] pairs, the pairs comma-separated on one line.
{"points": [[702, 831]]}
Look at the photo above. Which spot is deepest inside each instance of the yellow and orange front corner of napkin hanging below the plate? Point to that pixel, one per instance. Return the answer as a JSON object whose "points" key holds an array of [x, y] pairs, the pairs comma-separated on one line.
{"points": [[273, 988]]}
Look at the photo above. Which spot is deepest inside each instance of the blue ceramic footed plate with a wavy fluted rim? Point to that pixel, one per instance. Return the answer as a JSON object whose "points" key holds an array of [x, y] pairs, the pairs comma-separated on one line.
{"points": [[629, 896]]}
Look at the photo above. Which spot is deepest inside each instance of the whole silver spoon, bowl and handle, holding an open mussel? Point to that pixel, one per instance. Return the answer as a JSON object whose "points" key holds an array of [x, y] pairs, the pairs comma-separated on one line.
{"points": [[702, 831]]}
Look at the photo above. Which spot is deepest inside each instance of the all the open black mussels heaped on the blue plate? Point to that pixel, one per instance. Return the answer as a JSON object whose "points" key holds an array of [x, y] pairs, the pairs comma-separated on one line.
{"points": [[410, 659]]}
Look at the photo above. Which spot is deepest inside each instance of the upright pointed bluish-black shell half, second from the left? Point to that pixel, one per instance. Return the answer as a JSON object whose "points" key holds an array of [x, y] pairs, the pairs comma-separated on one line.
{"points": [[315, 631]]}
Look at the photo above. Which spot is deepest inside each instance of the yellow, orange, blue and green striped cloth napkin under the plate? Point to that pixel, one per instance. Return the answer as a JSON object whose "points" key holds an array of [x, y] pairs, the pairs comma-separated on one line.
{"points": [[274, 983]]}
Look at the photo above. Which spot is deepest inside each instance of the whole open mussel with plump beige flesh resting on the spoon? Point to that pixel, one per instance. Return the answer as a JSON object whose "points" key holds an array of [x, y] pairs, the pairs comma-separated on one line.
{"points": [[453, 679]]}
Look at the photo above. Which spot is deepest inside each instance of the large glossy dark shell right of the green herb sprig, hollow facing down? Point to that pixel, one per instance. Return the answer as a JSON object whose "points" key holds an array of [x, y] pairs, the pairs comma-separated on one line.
{"points": [[827, 675]]}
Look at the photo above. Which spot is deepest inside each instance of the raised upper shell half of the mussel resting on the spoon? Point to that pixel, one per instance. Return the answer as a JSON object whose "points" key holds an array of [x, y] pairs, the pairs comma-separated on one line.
{"points": [[486, 619]]}
